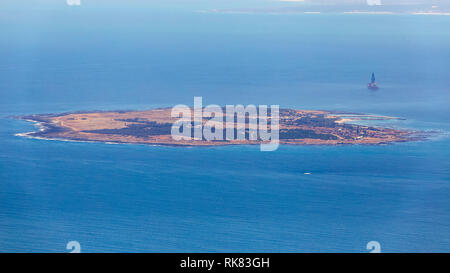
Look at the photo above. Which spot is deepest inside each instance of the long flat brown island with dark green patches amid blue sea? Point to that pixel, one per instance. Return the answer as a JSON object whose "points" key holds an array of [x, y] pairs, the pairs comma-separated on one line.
{"points": [[296, 127]]}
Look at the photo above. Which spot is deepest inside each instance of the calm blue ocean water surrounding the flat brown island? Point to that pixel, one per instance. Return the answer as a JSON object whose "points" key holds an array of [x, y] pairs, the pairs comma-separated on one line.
{"points": [[137, 198]]}
